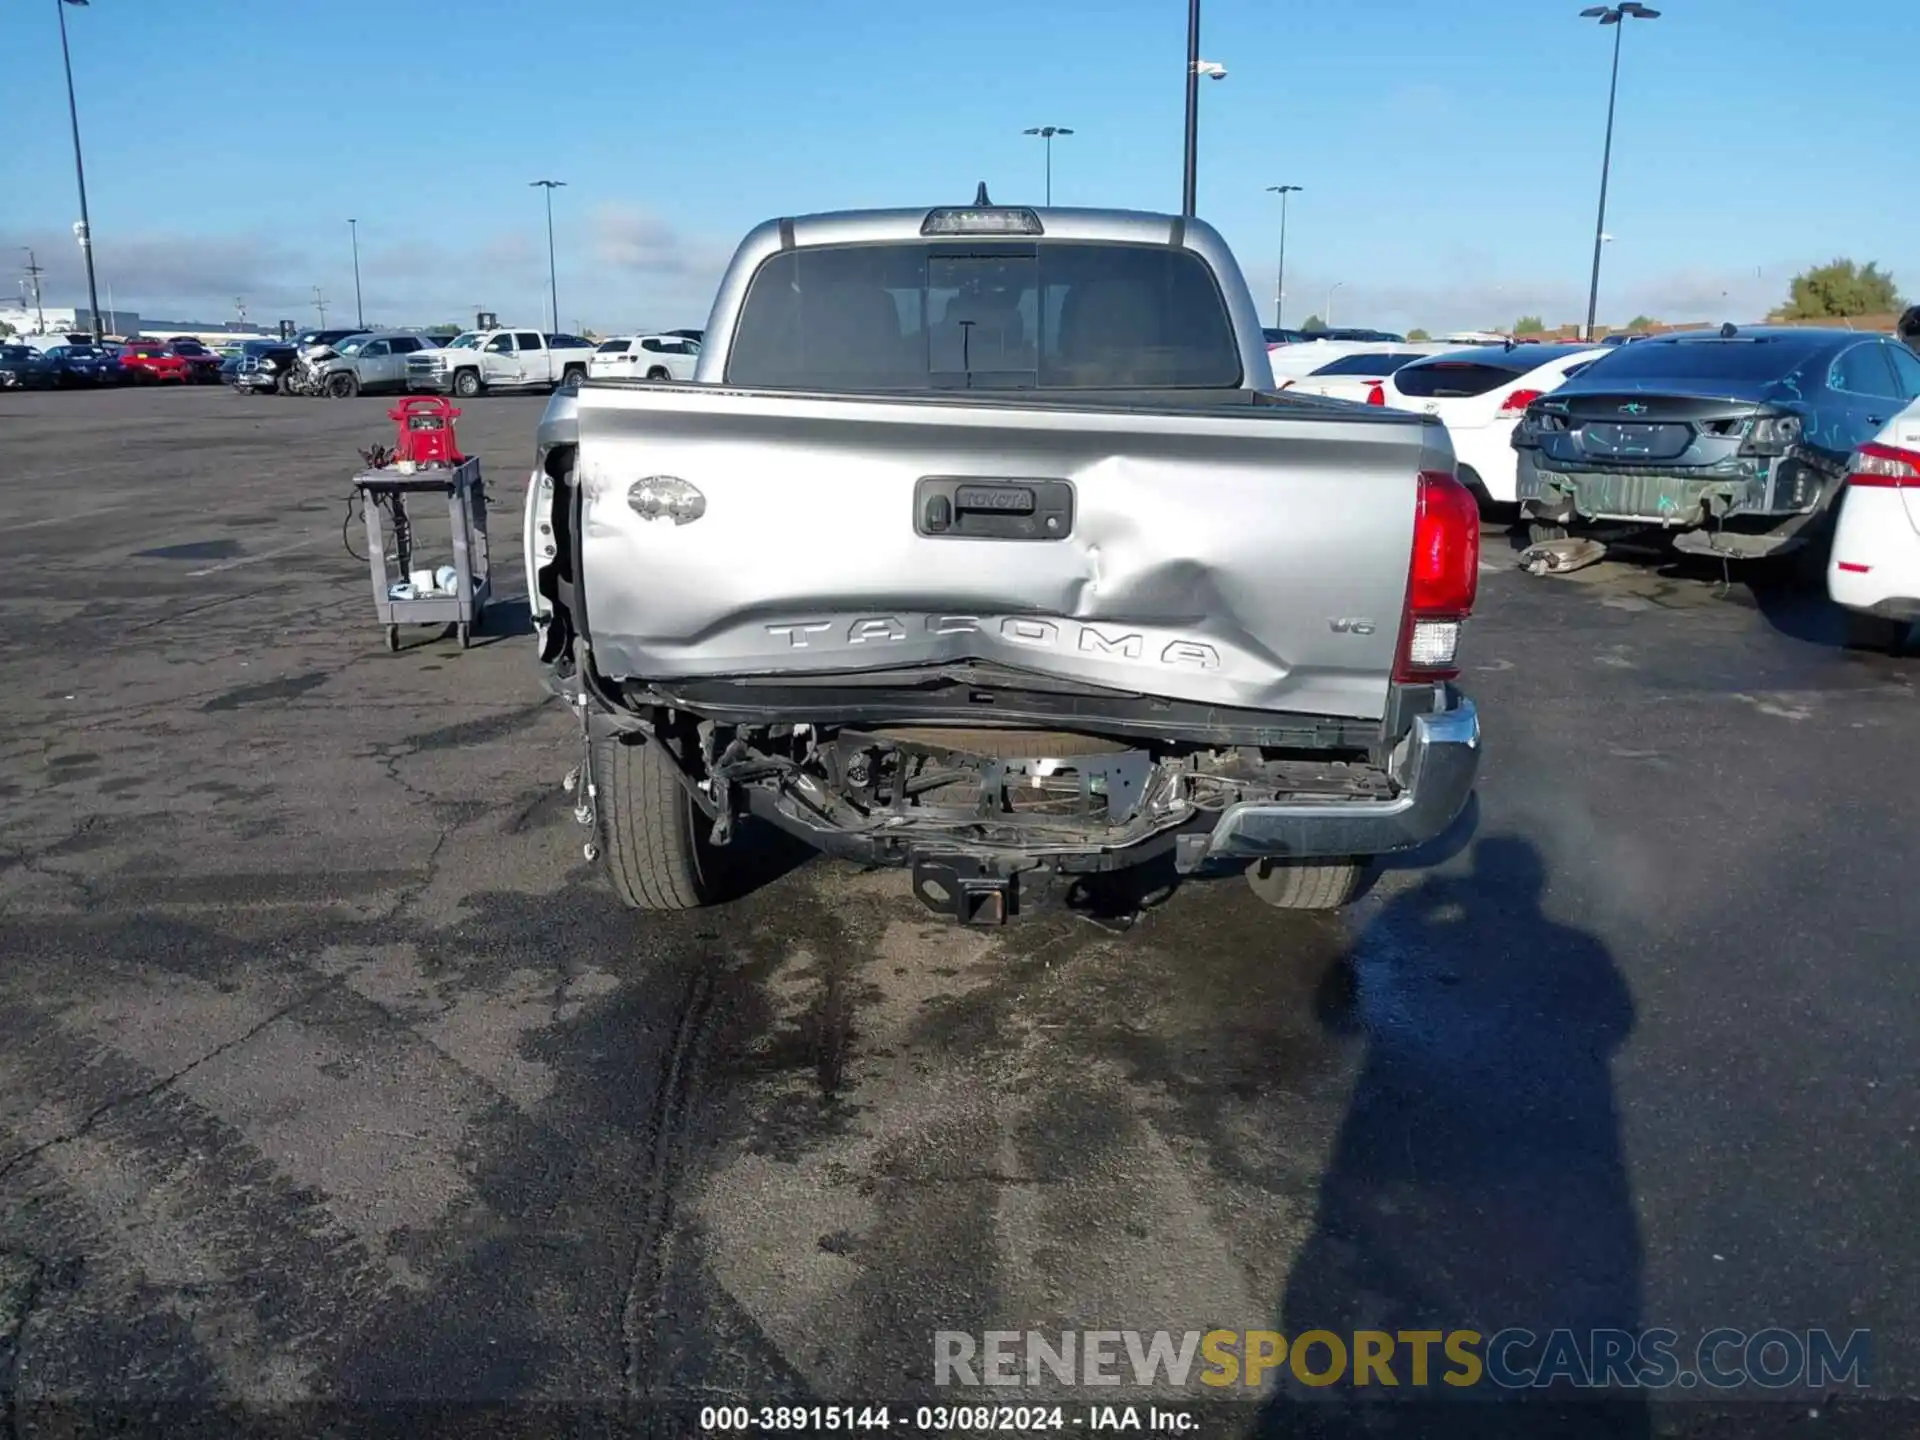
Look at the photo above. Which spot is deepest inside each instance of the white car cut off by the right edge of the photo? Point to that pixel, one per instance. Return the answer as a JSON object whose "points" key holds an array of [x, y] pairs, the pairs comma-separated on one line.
{"points": [[1875, 565]]}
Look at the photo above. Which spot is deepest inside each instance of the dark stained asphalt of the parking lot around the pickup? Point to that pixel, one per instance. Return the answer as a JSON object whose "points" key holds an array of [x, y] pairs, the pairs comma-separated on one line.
{"points": [[331, 1068]]}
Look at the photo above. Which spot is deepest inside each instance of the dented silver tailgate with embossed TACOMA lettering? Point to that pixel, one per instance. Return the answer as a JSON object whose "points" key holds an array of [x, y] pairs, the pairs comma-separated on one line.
{"points": [[1236, 556]]}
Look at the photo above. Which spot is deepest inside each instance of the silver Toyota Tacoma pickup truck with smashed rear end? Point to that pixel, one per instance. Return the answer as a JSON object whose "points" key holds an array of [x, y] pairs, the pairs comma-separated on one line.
{"points": [[984, 546]]}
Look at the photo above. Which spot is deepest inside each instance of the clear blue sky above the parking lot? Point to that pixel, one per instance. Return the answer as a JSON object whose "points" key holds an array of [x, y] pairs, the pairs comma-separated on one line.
{"points": [[1449, 153]]}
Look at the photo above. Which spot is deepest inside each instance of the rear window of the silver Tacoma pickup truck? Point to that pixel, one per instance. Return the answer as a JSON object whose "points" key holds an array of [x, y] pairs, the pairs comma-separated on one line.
{"points": [[969, 316]]}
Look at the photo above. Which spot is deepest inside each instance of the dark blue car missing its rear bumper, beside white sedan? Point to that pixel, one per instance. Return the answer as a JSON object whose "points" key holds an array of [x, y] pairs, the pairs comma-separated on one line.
{"points": [[1735, 441]]}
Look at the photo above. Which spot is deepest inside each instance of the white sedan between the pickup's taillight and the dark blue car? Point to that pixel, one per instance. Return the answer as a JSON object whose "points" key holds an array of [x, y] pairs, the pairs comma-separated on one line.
{"points": [[1481, 395]]}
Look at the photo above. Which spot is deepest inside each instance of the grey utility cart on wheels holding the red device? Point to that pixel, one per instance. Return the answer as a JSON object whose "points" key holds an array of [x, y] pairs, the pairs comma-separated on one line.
{"points": [[444, 596]]}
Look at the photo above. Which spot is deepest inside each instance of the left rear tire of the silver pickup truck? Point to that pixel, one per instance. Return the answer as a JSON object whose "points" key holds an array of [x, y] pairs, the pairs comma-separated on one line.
{"points": [[654, 836]]}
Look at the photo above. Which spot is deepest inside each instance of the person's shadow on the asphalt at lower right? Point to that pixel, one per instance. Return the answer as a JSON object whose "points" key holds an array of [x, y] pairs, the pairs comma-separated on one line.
{"points": [[1477, 1182]]}
